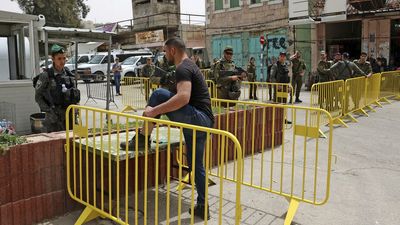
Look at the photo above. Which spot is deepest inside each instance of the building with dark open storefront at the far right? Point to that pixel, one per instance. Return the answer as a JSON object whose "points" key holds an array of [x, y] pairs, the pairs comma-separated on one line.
{"points": [[375, 31]]}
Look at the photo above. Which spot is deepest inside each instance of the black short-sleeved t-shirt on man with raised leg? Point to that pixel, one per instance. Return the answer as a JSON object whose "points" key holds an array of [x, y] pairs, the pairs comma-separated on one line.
{"points": [[199, 97]]}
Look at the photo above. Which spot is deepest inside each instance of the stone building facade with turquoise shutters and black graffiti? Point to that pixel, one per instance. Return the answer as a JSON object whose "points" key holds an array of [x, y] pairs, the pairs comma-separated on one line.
{"points": [[240, 23]]}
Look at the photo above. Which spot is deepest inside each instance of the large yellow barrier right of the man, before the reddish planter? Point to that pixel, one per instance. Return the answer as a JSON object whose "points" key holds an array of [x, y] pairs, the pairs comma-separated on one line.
{"points": [[295, 163]]}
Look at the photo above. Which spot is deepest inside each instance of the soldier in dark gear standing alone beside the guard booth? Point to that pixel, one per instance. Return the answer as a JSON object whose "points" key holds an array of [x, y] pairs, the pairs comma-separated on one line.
{"points": [[55, 90]]}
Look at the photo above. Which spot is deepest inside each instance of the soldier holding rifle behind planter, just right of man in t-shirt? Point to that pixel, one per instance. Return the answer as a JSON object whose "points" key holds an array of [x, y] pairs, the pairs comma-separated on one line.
{"points": [[228, 76]]}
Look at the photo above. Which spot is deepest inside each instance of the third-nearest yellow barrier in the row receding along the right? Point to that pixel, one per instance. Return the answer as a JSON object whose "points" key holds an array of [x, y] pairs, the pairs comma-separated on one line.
{"points": [[372, 91]]}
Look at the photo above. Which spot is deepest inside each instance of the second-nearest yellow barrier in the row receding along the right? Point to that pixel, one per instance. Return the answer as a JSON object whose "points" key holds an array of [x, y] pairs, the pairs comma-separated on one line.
{"points": [[354, 99]]}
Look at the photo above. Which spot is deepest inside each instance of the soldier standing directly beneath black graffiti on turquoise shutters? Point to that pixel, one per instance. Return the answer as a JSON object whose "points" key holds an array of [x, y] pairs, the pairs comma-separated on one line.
{"points": [[280, 74]]}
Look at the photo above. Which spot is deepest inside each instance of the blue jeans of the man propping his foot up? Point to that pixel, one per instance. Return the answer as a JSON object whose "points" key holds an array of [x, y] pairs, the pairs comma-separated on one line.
{"points": [[190, 115]]}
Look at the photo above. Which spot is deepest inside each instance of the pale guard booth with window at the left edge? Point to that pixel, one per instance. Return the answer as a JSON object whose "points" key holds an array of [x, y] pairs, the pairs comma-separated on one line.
{"points": [[19, 62]]}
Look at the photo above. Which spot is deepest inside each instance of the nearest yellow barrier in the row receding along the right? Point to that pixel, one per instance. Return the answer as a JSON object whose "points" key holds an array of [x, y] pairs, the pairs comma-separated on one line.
{"points": [[330, 97]]}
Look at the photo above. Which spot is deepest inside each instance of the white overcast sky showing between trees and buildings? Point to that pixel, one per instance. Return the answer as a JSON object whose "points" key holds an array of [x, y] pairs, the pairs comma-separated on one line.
{"points": [[104, 11]]}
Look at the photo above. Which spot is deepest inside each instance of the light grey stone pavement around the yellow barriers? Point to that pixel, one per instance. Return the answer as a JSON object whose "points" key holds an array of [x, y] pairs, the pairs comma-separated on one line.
{"points": [[365, 188]]}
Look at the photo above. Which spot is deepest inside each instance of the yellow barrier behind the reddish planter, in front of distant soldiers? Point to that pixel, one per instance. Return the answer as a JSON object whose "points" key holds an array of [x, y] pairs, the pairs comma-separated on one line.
{"points": [[267, 92]]}
